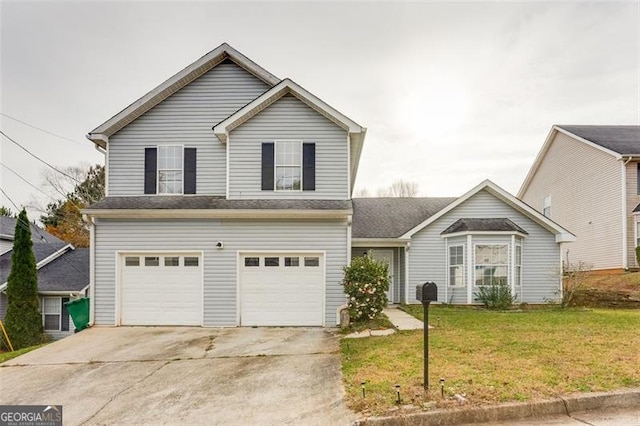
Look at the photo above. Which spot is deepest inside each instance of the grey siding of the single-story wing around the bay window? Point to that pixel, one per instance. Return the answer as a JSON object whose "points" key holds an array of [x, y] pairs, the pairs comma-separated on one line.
{"points": [[541, 254]]}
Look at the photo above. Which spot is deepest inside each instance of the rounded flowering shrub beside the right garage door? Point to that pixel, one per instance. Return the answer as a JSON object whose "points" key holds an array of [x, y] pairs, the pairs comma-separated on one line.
{"points": [[366, 282]]}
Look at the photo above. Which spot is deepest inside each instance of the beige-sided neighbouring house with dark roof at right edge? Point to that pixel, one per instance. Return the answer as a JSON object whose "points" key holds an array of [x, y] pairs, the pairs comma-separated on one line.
{"points": [[586, 178]]}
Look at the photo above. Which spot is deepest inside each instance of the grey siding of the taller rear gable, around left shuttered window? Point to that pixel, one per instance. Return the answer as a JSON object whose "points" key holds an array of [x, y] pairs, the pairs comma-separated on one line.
{"points": [[185, 118]]}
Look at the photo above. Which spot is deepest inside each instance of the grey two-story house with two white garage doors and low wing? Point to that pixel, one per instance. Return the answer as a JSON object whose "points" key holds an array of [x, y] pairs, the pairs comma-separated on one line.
{"points": [[228, 203]]}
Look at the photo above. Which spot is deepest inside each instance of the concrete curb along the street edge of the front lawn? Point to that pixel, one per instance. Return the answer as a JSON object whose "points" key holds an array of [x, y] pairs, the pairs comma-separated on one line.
{"points": [[562, 405]]}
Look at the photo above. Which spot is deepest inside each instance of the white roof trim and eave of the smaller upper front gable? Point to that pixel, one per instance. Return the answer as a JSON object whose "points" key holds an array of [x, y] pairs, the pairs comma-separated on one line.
{"points": [[290, 87]]}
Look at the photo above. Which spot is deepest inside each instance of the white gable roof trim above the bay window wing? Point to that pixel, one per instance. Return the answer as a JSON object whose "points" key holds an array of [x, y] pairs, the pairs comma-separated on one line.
{"points": [[562, 235]]}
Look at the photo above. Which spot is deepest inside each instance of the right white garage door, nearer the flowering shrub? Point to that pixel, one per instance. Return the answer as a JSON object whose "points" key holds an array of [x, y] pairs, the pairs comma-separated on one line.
{"points": [[281, 289]]}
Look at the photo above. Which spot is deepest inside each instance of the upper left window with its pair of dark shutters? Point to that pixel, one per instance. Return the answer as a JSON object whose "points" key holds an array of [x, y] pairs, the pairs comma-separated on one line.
{"points": [[170, 169]]}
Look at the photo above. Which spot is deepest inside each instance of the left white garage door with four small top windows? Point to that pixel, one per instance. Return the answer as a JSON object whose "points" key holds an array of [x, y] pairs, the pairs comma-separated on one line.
{"points": [[161, 289]]}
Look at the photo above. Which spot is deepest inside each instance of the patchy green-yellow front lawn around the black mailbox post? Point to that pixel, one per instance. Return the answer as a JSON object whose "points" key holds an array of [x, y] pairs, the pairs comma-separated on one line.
{"points": [[492, 357]]}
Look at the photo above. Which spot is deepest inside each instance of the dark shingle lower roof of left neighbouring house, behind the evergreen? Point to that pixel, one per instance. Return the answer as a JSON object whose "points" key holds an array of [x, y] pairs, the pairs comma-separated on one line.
{"points": [[69, 272]]}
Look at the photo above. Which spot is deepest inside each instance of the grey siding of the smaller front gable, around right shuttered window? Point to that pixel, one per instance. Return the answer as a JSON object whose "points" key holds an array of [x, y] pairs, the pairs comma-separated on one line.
{"points": [[288, 118]]}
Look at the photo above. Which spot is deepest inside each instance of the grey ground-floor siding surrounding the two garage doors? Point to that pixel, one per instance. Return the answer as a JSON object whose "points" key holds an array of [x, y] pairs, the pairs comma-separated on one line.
{"points": [[220, 269]]}
